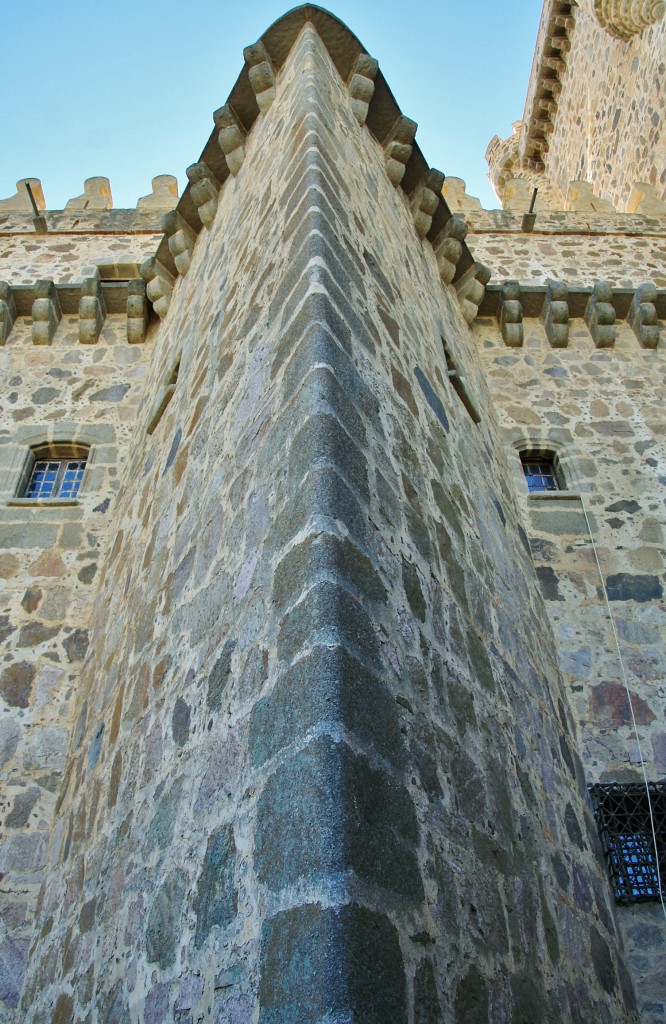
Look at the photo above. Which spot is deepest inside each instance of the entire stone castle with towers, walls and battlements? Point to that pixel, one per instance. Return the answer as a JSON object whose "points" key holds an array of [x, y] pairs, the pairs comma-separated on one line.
{"points": [[334, 566]]}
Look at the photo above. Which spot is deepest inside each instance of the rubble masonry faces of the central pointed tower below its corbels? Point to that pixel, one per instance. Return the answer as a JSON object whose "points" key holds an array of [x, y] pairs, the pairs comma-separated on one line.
{"points": [[324, 765]]}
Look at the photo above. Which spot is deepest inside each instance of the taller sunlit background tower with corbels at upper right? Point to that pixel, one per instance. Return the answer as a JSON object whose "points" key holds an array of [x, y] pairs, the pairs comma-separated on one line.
{"points": [[595, 113]]}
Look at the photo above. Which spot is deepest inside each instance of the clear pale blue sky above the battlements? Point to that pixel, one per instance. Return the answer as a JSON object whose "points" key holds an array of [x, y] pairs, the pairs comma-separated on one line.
{"points": [[128, 90]]}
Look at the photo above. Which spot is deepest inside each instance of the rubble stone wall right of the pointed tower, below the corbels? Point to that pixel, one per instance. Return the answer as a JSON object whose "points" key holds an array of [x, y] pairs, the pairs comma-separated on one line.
{"points": [[603, 412]]}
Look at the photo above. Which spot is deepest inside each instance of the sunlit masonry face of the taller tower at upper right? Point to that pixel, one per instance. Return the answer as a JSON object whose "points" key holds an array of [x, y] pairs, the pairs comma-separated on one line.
{"points": [[609, 130]]}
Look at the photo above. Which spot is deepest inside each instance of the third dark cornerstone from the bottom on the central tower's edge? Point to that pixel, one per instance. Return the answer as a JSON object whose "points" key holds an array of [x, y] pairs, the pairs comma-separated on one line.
{"points": [[327, 687]]}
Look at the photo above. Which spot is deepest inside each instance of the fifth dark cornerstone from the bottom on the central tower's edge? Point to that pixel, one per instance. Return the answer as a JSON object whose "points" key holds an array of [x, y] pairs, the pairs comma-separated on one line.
{"points": [[325, 557]]}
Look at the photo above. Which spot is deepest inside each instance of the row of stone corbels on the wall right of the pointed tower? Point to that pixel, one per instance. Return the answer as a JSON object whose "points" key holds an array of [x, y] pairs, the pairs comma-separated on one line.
{"points": [[600, 309]]}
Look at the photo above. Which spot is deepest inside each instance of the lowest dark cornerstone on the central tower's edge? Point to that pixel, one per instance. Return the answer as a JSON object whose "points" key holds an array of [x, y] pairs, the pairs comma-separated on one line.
{"points": [[343, 964]]}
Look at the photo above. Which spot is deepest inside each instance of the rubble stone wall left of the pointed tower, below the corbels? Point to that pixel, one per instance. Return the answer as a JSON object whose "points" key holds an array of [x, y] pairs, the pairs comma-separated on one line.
{"points": [[50, 566]]}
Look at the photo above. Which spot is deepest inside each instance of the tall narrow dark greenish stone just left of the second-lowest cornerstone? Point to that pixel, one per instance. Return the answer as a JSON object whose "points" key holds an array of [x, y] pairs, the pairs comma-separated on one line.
{"points": [[217, 901]]}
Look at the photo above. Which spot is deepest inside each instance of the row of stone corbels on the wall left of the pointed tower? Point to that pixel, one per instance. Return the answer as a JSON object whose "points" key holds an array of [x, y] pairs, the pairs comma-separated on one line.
{"points": [[94, 300]]}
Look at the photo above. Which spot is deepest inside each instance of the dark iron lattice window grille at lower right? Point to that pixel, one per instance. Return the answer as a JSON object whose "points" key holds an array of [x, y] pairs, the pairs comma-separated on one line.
{"points": [[622, 815]]}
